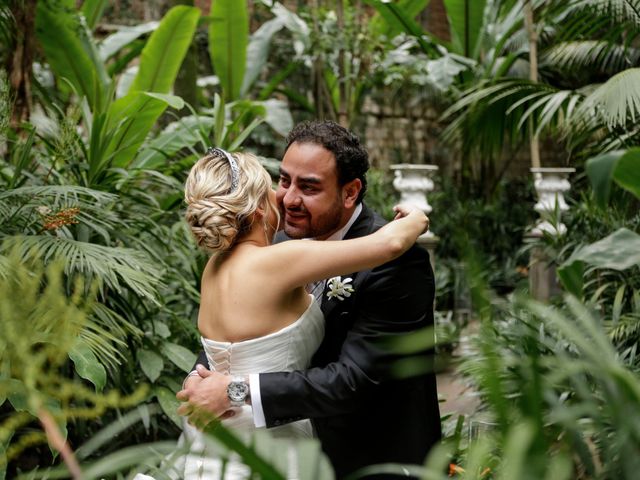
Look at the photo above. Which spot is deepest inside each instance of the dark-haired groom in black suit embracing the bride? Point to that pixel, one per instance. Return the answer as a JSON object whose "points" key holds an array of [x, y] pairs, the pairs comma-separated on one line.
{"points": [[363, 411]]}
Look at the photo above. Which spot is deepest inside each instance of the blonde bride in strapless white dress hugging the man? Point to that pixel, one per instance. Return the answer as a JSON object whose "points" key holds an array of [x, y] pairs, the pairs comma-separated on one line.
{"points": [[256, 313]]}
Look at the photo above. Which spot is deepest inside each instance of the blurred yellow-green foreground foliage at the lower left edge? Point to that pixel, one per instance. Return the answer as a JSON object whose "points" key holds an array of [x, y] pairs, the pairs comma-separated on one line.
{"points": [[41, 329]]}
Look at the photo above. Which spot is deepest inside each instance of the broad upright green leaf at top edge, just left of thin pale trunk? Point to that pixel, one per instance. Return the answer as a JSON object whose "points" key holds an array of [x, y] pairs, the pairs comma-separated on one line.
{"points": [[466, 18]]}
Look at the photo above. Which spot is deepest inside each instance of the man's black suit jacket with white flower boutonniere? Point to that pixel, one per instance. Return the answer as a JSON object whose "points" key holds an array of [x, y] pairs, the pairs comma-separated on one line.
{"points": [[363, 413]]}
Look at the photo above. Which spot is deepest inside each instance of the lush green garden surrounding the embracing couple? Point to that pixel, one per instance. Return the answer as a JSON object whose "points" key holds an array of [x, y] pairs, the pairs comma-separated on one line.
{"points": [[104, 107]]}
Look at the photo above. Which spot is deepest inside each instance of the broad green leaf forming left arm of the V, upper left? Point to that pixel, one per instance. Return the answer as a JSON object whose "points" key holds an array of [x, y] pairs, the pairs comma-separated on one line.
{"points": [[59, 31]]}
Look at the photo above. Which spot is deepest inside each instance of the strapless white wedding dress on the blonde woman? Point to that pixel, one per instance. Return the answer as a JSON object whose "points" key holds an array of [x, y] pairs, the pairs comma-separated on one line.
{"points": [[288, 349]]}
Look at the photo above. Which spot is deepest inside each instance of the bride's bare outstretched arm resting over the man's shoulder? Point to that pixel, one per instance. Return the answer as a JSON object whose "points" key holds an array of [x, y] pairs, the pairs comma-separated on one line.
{"points": [[308, 261]]}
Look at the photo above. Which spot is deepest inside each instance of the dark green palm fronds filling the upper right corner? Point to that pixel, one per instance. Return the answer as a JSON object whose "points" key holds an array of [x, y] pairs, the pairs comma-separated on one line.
{"points": [[586, 94]]}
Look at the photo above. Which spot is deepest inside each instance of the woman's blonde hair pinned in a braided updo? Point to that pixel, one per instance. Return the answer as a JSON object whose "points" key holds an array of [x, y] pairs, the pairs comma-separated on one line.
{"points": [[217, 215]]}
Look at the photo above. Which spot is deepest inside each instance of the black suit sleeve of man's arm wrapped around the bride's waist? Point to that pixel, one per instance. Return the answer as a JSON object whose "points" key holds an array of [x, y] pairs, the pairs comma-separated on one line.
{"points": [[392, 301]]}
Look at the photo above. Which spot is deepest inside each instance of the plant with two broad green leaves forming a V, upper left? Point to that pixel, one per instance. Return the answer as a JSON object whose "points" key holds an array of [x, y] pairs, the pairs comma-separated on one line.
{"points": [[114, 128]]}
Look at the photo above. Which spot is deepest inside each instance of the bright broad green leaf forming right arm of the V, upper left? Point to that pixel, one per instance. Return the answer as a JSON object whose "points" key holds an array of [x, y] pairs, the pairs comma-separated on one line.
{"points": [[165, 50]]}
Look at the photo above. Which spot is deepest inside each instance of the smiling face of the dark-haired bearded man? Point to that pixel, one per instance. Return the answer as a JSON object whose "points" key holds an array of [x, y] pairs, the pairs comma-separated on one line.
{"points": [[312, 203]]}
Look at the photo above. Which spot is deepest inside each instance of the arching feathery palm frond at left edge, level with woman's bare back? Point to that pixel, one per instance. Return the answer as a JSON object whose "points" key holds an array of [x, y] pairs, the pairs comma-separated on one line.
{"points": [[117, 268]]}
